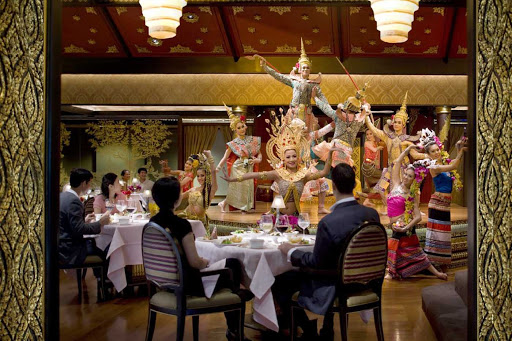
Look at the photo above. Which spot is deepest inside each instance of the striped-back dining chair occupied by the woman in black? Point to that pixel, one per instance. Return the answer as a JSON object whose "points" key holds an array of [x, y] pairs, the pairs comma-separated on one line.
{"points": [[165, 273]]}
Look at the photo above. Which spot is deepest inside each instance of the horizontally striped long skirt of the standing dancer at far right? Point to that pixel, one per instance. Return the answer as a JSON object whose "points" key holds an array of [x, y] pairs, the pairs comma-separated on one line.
{"points": [[438, 246]]}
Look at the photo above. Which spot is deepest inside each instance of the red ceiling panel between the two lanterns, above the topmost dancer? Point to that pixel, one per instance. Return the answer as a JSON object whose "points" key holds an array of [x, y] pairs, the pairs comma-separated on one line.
{"points": [[276, 30]]}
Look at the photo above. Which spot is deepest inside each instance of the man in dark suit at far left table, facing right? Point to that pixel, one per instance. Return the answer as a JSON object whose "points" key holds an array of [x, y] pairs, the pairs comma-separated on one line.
{"points": [[73, 248]]}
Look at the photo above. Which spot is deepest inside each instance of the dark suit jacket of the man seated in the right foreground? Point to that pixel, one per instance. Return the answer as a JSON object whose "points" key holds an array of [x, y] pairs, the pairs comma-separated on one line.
{"points": [[318, 295]]}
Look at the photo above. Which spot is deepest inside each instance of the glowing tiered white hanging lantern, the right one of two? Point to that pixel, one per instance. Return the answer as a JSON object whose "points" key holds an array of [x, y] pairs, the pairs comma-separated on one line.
{"points": [[394, 18]]}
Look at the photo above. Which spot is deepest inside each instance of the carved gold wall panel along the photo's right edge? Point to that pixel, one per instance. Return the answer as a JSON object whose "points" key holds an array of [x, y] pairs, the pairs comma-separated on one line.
{"points": [[494, 169]]}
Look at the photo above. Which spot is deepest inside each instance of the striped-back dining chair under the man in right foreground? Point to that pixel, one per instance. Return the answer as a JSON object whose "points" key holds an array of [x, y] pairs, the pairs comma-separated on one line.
{"points": [[359, 279]]}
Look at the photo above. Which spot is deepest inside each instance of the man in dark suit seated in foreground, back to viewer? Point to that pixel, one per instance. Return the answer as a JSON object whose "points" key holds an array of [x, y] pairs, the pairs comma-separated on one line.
{"points": [[346, 215]]}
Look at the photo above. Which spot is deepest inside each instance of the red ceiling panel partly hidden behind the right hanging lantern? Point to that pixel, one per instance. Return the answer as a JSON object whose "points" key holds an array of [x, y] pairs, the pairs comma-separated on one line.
{"points": [[427, 39]]}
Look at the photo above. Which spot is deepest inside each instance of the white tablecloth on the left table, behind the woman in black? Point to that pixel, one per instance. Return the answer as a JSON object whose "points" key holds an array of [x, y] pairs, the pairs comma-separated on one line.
{"points": [[125, 247]]}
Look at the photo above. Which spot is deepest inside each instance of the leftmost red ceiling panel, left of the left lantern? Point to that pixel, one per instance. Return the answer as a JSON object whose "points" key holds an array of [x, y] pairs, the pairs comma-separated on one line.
{"points": [[86, 33]]}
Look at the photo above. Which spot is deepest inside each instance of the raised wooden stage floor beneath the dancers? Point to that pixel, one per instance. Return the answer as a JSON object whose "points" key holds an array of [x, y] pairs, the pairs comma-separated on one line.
{"points": [[458, 213]]}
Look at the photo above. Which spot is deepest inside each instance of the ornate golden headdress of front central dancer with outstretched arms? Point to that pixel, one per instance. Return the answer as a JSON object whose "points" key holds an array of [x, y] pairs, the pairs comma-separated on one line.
{"points": [[285, 136]]}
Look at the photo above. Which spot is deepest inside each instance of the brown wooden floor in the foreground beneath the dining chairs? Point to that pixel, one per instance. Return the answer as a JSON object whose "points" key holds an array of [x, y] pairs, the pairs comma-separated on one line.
{"points": [[126, 318]]}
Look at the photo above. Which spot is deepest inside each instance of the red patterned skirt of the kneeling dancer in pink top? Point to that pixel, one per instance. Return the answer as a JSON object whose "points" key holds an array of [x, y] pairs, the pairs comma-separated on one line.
{"points": [[405, 255]]}
